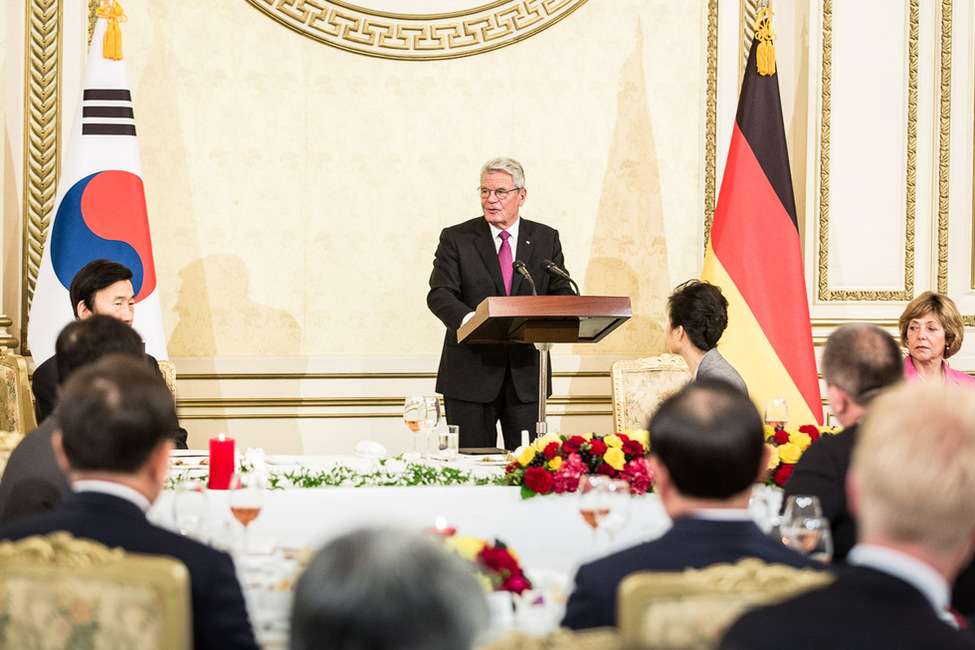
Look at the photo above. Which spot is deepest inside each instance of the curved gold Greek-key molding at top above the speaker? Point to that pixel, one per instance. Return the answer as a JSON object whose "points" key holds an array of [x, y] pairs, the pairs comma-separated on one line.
{"points": [[417, 37]]}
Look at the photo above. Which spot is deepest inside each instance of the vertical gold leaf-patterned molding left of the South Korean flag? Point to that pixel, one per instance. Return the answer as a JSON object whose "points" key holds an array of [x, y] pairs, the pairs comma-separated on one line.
{"points": [[42, 150]]}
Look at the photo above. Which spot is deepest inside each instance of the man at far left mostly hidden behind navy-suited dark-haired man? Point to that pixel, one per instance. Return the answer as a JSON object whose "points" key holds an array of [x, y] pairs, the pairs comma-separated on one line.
{"points": [[32, 482]]}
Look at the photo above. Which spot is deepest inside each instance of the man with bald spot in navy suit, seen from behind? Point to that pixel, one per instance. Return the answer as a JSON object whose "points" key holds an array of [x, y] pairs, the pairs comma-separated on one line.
{"points": [[707, 449]]}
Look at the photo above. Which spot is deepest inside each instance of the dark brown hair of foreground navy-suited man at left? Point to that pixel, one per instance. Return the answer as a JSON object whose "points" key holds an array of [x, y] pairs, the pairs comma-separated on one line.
{"points": [[113, 414]]}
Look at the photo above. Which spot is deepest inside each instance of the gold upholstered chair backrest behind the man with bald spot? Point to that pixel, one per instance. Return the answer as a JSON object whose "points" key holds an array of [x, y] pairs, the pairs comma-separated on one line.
{"points": [[692, 609]]}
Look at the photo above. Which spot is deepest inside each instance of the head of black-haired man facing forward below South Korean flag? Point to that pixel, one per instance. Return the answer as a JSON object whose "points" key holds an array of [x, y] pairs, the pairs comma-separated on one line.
{"points": [[103, 287]]}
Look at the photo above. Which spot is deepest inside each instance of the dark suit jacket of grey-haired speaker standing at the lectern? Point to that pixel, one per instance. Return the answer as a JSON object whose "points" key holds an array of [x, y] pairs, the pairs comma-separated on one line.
{"points": [[465, 272]]}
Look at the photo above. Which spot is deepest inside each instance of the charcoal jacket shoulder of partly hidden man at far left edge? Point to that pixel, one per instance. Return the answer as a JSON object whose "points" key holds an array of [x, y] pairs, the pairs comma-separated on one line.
{"points": [[32, 482]]}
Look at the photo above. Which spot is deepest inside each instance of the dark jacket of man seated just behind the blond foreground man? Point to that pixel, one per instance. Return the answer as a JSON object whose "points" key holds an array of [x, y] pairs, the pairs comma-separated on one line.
{"points": [[821, 471]]}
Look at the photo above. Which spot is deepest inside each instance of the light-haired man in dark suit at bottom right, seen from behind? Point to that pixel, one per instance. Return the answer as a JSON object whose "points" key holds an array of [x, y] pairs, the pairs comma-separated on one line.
{"points": [[911, 488]]}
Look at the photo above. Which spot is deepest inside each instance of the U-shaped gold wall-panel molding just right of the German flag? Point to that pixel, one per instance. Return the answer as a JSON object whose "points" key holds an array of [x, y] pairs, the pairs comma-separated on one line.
{"points": [[825, 293]]}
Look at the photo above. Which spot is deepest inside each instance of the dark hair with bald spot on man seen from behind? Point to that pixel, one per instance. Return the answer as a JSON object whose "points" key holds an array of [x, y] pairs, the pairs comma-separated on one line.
{"points": [[710, 438]]}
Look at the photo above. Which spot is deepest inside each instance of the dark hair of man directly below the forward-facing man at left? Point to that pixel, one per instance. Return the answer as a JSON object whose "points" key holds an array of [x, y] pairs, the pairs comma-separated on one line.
{"points": [[85, 341]]}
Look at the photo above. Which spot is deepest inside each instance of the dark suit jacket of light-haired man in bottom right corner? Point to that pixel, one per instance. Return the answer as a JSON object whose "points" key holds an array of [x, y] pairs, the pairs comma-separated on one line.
{"points": [[863, 608]]}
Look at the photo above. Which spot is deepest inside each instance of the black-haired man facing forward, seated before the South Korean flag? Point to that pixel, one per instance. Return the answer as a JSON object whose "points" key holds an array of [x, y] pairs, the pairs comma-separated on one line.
{"points": [[100, 287]]}
